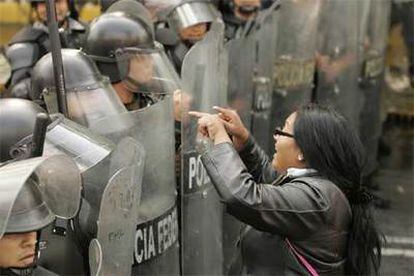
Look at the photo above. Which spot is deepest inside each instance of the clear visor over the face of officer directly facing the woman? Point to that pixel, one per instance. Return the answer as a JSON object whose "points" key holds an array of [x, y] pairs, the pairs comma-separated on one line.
{"points": [[147, 72]]}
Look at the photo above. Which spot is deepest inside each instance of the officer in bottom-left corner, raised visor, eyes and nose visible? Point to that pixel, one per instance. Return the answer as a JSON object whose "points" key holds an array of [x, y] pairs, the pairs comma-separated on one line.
{"points": [[30, 201]]}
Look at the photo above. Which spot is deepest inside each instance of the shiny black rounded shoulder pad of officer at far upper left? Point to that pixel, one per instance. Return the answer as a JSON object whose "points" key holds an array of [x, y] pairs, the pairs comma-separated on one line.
{"points": [[22, 55]]}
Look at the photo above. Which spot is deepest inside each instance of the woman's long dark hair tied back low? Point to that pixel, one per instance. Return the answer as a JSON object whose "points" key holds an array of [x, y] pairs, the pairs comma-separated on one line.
{"points": [[330, 146]]}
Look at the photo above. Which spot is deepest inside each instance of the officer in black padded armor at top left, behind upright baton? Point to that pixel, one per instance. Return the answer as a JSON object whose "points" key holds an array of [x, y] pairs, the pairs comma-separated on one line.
{"points": [[32, 42]]}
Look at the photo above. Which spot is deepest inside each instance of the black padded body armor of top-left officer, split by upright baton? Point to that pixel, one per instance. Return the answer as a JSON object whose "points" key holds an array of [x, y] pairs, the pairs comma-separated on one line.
{"points": [[29, 45]]}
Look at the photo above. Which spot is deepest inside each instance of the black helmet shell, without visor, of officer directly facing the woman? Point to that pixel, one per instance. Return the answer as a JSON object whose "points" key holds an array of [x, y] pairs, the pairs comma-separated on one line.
{"points": [[125, 24]]}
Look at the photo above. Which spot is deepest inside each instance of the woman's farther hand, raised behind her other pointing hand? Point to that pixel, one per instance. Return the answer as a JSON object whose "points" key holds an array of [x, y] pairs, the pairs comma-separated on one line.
{"points": [[234, 126]]}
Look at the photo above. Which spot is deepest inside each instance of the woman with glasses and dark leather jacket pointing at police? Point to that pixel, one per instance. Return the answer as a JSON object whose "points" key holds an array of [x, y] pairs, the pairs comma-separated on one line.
{"points": [[306, 209]]}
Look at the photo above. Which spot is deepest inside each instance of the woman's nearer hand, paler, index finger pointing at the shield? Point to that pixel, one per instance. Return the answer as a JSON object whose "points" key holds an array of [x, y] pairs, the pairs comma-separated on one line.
{"points": [[211, 126]]}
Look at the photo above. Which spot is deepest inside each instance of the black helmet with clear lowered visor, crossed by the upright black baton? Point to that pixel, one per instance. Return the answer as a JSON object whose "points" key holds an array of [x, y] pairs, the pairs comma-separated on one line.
{"points": [[90, 96]]}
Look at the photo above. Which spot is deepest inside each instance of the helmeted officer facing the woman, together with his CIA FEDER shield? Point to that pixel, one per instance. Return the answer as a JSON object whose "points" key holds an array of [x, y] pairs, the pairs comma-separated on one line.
{"points": [[121, 42]]}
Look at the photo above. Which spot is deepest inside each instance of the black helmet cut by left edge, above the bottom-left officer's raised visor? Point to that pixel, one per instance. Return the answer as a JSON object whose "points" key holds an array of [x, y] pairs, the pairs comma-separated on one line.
{"points": [[17, 120]]}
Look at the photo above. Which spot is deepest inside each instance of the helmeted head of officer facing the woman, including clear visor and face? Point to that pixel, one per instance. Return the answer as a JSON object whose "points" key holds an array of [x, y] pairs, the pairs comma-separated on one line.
{"points": [[121, 42]]}
